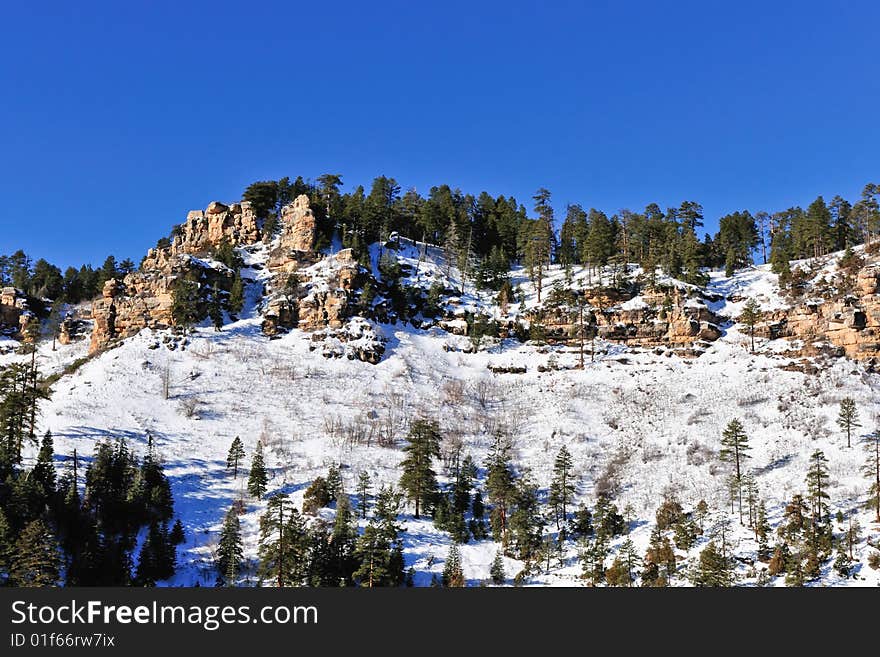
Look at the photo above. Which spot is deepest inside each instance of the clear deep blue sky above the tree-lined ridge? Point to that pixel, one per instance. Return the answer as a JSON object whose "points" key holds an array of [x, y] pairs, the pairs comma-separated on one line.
{"points": [[118, 117]]}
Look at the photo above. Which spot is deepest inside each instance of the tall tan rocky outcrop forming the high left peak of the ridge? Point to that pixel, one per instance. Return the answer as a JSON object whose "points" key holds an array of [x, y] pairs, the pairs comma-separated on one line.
{"points": [[144, 298]]}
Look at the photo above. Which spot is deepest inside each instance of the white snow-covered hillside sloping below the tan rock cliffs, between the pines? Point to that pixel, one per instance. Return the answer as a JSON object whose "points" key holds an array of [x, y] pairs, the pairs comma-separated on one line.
{"points": [[645, 422]]}
